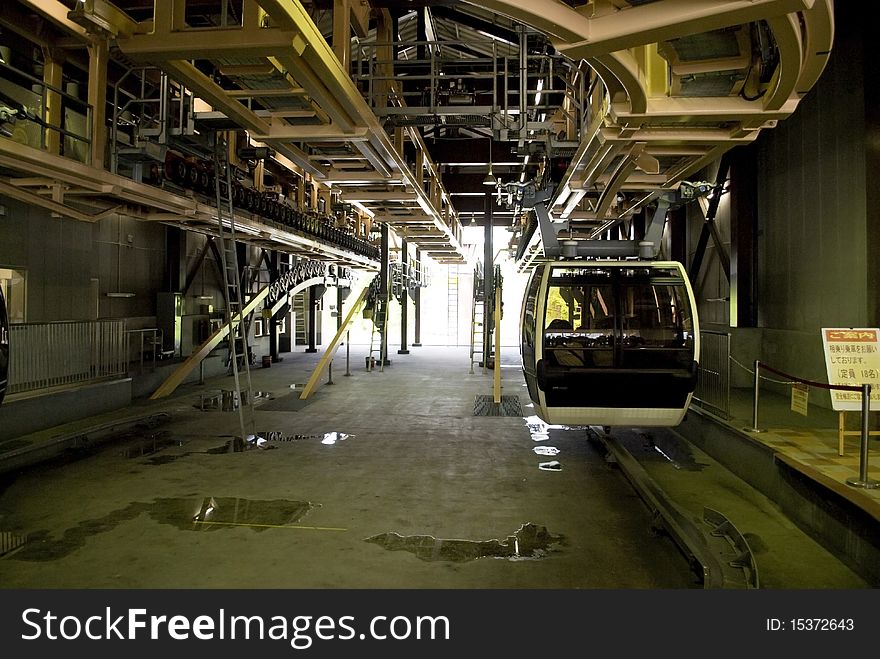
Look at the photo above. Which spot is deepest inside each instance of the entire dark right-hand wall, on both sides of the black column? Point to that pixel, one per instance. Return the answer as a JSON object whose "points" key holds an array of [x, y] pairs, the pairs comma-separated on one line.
{"points": [[817, 259]]}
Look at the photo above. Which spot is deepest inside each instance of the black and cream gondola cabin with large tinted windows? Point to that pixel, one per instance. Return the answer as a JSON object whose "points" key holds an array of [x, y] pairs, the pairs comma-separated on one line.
{"points": [[611, 343]]}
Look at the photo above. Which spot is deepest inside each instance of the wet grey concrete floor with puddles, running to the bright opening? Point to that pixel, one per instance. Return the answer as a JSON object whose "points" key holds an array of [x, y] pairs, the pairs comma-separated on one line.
{"points": [[298, 513]]}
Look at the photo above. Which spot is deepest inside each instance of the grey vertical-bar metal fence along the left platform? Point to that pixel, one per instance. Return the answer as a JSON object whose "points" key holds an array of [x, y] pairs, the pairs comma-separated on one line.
{"points": [[46, 355]]}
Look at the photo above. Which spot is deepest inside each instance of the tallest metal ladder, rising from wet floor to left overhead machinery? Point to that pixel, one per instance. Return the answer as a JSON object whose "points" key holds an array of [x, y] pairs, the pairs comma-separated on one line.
{"points": [[238, 345]]}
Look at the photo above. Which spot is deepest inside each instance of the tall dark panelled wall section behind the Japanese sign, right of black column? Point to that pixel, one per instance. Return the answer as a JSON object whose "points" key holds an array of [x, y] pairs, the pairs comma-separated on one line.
{"points": [[813, 243]]}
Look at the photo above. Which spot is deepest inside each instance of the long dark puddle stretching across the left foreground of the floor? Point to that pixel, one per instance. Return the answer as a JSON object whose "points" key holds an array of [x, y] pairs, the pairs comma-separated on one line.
{"points": [[205, 514]]}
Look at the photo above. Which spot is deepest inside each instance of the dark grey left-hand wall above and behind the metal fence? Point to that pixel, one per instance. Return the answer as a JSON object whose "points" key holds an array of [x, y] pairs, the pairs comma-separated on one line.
{"points": [[71, 266]]}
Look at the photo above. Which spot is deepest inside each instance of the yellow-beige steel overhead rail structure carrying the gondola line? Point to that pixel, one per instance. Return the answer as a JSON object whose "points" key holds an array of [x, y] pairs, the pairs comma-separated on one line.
{"points": [[624, 102]]}
